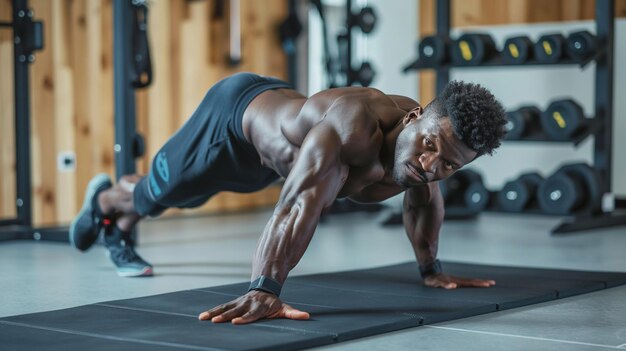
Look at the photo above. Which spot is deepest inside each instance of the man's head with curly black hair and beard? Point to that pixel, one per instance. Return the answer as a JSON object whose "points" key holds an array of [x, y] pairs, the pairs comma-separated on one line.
{"points": [[464, 122]]}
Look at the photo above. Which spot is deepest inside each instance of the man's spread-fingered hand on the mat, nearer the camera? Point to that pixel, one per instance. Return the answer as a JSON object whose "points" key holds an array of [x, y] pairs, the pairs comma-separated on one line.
{"points": [[251, 307]]}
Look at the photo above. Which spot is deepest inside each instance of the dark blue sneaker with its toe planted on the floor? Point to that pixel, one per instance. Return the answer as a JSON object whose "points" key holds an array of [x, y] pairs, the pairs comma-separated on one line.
{"points": [[127, 261]]}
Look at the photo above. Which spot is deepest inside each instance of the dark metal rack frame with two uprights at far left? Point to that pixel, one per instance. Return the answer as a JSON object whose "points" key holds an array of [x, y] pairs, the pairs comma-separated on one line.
{"points": [[25, 31]]}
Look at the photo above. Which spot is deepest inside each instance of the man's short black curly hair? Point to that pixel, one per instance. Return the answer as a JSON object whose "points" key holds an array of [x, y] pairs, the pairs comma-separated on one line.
{"points": [[477, 118]]}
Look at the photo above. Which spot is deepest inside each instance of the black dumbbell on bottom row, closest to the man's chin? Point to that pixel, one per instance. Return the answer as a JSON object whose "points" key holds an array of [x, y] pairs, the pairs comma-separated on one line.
{"points": [[465, 189]]}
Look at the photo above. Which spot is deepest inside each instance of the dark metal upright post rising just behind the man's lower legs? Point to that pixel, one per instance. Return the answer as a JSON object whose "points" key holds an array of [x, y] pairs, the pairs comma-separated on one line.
{"points": [[124, 92]]}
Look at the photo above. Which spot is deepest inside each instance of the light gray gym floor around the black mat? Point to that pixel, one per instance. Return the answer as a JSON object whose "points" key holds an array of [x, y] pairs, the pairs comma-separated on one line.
{"points": [[214, 250]]}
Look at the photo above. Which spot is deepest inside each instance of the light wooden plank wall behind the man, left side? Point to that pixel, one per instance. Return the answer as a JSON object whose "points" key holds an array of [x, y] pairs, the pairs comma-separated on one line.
{"points": [[72, 90]]}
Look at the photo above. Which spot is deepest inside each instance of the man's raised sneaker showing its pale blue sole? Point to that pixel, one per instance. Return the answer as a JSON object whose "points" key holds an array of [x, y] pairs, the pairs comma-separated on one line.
{"points": [[89, 222]]}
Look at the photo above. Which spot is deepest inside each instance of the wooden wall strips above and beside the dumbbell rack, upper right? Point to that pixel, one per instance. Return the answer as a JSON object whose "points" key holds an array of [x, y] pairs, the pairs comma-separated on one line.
{"points": [[470, 13]]}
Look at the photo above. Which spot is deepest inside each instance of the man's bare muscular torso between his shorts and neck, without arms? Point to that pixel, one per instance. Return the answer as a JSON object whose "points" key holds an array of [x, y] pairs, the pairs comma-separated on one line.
{"points": [[277, 123]]}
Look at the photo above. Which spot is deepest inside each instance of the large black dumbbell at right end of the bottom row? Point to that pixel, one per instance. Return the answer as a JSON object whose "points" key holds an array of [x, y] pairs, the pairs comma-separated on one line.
{"points": [[572, 188]]}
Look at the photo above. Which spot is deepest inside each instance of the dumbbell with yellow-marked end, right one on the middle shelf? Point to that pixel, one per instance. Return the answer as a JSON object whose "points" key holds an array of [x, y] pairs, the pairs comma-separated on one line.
{"points": [[563, 119]]}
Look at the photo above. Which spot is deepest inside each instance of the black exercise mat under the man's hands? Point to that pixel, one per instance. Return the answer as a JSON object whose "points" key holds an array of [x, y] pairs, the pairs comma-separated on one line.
{"points": [[343, 306]]}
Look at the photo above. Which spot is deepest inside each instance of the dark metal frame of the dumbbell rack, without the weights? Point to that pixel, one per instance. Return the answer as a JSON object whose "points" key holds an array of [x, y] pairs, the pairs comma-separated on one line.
{"points": [[600, 126]]}
